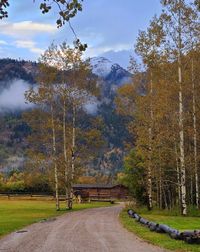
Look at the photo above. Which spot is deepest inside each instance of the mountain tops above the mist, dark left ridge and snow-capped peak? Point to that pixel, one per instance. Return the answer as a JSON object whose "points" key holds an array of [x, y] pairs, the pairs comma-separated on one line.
{"points": [[112, 75]]}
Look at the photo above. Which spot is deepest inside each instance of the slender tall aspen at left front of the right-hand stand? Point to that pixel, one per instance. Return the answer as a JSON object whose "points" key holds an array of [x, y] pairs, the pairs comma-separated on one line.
{"points": [[147, 47]]}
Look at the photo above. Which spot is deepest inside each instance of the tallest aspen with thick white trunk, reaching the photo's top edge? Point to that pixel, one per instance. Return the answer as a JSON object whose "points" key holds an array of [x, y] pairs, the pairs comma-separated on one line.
{"points": [[177, 16]]}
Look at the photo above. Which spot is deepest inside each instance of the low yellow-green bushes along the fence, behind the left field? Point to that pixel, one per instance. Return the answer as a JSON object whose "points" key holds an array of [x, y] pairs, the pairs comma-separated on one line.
{"points": [[37, 182]]}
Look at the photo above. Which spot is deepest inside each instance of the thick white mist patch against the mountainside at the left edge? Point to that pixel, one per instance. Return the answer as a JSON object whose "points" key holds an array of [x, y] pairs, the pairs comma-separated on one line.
{"points": [[13, 98]]}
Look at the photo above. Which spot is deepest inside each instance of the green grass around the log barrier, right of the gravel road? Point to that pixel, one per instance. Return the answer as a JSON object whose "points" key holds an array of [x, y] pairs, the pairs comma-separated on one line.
{"points": [[163, 240]]}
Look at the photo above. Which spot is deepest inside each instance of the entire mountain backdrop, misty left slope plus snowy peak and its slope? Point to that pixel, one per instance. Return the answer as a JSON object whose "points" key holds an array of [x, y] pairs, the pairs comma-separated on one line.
{"points": [[17, 76]]}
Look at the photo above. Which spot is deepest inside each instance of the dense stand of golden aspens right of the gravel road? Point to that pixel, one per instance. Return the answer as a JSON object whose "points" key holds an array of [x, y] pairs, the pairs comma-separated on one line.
{"points": [[163, 100]]}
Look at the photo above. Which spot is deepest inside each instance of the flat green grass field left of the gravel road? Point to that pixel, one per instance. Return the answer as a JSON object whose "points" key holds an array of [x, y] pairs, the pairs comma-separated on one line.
{"points": [[18, 213]]}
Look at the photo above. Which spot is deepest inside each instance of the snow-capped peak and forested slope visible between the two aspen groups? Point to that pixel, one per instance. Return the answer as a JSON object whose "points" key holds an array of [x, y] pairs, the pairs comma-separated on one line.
{"points": [[112, 76]]}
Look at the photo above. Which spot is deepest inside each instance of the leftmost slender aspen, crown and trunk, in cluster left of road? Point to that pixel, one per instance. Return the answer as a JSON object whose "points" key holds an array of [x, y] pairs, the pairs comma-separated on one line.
{"points": [[44, 98]]}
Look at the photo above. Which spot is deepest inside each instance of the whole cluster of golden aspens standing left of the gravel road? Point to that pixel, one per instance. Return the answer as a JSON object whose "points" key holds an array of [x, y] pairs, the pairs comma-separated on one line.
{"points": [[63, 139]]}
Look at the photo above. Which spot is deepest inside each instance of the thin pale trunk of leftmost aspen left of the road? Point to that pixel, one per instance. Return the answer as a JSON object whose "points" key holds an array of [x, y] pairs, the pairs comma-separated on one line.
{"points": [[54, 159]]}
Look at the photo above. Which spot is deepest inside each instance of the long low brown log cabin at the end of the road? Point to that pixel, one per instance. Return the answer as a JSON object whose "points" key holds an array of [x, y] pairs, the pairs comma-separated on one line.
{"points": [[100, 191]]}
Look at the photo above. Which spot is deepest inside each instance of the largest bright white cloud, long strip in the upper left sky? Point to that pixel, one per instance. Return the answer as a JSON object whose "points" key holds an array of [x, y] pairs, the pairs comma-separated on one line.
{"points": [[25, 28]]}
